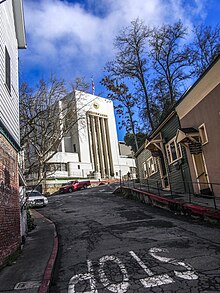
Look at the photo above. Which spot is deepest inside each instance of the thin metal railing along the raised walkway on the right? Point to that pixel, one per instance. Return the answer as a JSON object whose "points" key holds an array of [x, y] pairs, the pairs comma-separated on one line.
{"points": [[201, 193]]}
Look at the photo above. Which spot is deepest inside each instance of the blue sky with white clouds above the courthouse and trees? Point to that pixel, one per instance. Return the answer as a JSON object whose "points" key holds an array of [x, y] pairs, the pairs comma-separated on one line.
{"points": [[75, 38]]}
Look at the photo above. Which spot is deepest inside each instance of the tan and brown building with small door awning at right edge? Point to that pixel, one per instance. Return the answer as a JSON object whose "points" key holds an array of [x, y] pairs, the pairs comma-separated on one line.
{"points": [[199, 133]]}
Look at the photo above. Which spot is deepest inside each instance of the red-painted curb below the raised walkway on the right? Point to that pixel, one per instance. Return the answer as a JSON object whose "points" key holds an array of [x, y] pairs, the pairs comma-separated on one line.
{"points": [[170, 204]]}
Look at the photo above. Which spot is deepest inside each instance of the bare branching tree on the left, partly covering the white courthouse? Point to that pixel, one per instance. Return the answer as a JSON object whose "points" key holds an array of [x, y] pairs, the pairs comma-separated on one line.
{"points": [[46, 114]]}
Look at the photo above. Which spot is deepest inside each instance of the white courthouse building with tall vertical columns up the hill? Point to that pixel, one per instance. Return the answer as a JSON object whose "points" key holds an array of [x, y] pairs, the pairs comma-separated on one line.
{"points": [[91, 149]]}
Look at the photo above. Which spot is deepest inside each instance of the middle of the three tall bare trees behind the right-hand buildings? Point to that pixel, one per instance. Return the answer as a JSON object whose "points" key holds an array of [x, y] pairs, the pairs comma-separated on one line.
{"points": [[170, 60]]}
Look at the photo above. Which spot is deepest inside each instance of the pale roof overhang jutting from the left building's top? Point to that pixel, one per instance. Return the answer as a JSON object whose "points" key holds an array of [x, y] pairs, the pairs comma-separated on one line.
{"points": [[19, 23]]}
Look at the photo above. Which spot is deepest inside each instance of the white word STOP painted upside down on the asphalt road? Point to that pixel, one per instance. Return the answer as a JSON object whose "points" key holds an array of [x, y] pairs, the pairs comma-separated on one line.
{"points": [[150, 281]]}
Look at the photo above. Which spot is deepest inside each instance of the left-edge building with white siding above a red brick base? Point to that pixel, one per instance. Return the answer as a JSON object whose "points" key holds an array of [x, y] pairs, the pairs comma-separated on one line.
{"points": [[12, 37]]}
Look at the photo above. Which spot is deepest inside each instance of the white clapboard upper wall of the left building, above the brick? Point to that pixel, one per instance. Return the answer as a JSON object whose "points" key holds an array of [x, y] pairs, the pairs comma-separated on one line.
{"points": [[9, 102]]}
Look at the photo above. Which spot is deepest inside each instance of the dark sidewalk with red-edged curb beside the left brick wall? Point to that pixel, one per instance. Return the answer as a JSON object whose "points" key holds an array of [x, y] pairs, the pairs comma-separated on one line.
{"points": [[31, 272]]}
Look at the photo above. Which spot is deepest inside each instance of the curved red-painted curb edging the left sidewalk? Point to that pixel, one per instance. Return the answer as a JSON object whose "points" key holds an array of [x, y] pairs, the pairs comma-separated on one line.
{"points": [[45, 283]]}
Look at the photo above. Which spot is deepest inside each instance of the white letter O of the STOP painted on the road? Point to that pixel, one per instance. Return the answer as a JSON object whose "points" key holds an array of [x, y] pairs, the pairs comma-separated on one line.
{"points": [[117, 288]]}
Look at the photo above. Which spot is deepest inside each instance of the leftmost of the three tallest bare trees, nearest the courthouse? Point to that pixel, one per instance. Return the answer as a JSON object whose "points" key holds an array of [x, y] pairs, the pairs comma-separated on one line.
{"points": [[131, 60]]}
